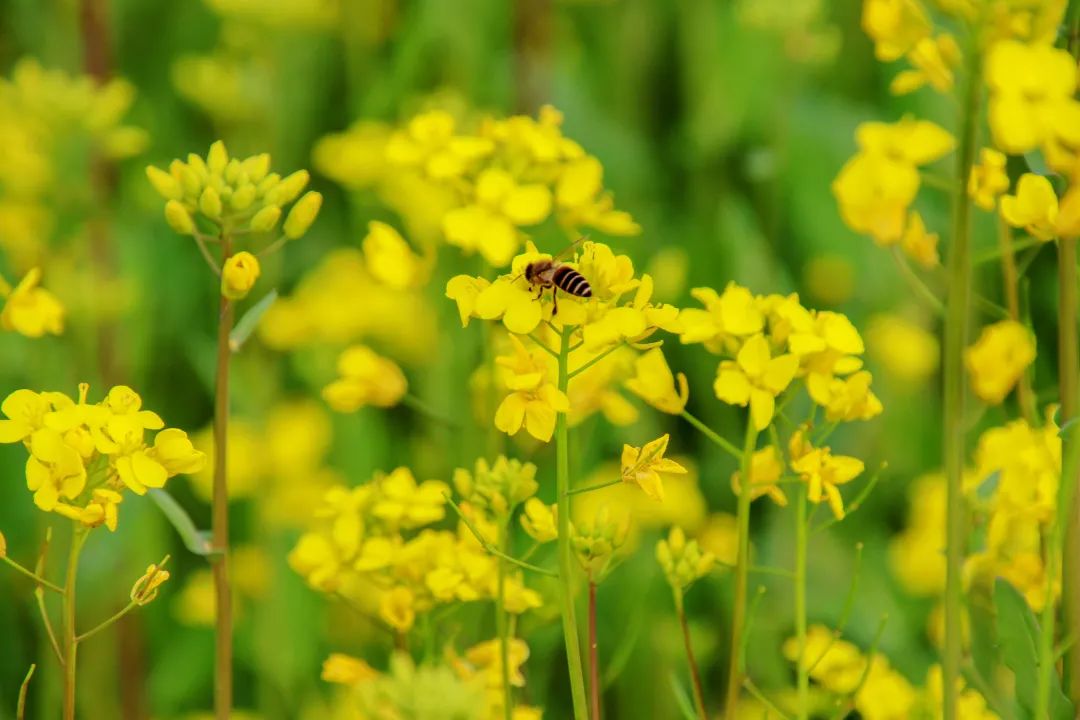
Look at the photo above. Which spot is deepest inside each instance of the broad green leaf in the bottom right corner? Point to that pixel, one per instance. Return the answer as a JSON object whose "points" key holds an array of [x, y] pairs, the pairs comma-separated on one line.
{"points": [[1019, 635]]}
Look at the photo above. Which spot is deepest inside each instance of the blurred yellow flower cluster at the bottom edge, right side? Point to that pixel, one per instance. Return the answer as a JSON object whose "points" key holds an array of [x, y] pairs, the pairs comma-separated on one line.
{"points": [[872, 686]]}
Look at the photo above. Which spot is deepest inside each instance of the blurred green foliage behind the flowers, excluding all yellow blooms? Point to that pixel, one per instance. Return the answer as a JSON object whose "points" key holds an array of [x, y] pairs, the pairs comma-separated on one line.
{"points": [[712, 135]]}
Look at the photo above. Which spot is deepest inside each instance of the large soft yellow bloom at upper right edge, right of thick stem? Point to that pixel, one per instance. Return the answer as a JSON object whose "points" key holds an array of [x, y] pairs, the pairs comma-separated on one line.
{"points": [[1031, 87]]}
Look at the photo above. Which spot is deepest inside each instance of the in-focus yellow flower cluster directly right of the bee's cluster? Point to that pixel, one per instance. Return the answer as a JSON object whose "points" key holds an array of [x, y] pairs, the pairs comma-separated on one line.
{"points": [[772, 342]]}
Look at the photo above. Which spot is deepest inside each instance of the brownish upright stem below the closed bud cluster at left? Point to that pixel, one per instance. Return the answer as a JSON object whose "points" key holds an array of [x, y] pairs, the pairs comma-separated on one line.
{"points": [[220, 512]]}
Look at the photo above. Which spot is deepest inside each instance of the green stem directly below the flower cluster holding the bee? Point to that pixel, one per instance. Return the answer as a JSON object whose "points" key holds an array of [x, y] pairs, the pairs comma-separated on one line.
{"points": [[565, 552]]}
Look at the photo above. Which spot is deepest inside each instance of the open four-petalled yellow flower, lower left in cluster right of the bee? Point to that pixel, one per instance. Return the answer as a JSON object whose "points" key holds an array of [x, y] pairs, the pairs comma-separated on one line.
{"points": [[755, 378]]}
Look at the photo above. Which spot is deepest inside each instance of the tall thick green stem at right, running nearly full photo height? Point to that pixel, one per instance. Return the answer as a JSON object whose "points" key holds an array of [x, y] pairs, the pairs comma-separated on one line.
{"points": [[957, 316]]}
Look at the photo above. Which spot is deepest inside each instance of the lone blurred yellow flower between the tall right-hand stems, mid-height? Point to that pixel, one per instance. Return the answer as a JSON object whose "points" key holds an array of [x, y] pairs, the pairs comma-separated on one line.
{"points": [[998, 359]]}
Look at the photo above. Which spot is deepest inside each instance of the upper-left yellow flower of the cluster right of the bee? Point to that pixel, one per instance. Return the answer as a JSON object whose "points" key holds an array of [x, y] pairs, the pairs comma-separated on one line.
{"points": [[732, 316]]}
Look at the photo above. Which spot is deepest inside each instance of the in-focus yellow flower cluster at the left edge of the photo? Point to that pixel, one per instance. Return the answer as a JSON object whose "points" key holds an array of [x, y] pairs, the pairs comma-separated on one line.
{"points": [[85, 456]]}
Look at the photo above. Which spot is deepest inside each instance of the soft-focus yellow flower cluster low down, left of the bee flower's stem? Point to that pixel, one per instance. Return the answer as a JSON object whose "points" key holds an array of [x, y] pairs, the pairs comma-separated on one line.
{"points": [[375, 540]]}
